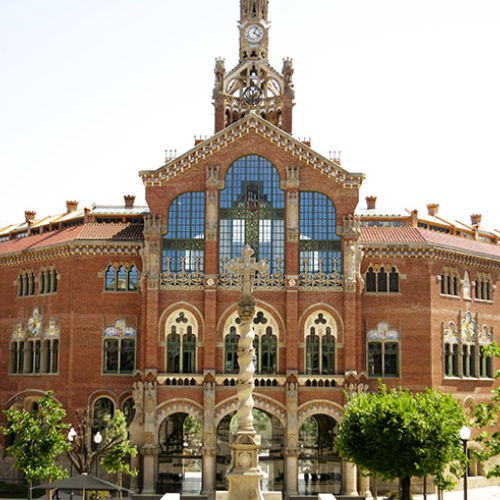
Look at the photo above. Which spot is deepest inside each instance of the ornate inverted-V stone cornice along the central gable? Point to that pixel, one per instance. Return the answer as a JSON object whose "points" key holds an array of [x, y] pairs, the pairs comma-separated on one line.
{"points": [[251, 123]]}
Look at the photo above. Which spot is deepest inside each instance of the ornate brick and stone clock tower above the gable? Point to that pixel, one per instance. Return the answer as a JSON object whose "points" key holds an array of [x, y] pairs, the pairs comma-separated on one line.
{"points": [[254, 84]]}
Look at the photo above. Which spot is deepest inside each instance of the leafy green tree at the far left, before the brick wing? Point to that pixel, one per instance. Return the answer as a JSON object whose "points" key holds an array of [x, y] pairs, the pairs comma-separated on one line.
{"points": [[39, 437]]}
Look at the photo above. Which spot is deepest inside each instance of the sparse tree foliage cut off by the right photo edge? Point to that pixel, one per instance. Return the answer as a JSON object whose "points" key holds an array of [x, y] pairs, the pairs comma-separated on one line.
{"points": [[486, 416]]}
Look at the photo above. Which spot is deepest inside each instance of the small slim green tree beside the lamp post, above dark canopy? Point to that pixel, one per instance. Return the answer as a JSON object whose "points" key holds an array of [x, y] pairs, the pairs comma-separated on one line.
{"points": [[117, 448]]}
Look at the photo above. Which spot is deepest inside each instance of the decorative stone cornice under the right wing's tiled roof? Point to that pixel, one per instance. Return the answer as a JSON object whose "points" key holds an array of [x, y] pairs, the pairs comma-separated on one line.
{"points": [[429, 251]]}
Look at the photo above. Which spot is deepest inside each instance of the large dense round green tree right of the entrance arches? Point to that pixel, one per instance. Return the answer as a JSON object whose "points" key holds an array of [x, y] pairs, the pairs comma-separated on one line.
{"points": [[398, 435]]}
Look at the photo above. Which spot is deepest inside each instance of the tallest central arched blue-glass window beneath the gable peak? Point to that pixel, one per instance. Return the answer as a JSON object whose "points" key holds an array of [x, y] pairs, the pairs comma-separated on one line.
{"points": [[252, 210]]}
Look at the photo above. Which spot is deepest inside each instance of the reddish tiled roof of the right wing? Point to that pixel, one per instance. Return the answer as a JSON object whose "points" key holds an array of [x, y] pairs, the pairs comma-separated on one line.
{"points": [[412, 235]]}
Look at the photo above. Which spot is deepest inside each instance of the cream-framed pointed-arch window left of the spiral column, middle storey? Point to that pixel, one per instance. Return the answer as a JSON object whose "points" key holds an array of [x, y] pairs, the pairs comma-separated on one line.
{"points": [[181, 331]]}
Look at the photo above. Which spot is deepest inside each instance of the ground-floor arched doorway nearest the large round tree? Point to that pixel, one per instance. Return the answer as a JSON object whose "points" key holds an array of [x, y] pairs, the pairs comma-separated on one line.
{"points": [[320, 466]]}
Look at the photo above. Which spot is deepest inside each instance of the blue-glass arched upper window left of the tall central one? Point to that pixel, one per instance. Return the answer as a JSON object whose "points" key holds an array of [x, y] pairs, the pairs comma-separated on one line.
{"points": [[183, 245]]}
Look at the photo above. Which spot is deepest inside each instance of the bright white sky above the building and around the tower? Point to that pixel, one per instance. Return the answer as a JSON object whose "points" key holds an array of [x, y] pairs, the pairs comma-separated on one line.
{"points": [[93, 91]]}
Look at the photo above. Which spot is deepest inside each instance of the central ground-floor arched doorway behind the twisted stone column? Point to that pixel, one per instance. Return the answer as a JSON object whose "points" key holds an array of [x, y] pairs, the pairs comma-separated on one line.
{"points": [[270, 452]]}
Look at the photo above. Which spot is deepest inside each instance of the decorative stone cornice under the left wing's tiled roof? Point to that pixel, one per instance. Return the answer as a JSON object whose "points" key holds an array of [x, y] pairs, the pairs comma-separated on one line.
{"points": [[68, 249]]}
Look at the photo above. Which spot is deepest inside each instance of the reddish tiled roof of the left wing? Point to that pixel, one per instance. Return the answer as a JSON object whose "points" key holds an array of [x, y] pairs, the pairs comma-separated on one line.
{"points": [[114, 232]]}
